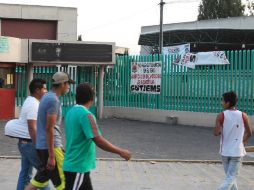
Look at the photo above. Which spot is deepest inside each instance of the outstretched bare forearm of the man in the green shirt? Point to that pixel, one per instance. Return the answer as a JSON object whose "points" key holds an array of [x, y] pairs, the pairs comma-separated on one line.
{"points": [[102, 143]]}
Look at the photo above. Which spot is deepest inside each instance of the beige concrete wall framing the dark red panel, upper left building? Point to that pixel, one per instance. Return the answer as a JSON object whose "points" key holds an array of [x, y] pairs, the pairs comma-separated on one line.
{"points": [[66, 17]]}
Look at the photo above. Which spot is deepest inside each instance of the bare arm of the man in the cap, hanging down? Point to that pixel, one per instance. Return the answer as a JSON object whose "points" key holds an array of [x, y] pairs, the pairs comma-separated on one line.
{"points": [[50, 125]]}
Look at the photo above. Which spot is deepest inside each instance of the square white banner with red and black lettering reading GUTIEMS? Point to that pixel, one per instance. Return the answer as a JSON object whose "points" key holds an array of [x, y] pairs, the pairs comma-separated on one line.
{"points": [[146, 77]]}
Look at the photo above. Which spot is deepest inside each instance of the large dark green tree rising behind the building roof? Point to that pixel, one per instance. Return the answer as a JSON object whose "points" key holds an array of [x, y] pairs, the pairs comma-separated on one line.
{"points": [[214, 9]]}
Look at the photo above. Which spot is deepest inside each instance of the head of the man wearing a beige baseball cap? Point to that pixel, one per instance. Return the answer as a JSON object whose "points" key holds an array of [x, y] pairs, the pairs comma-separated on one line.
{"points": [[61, 81]]}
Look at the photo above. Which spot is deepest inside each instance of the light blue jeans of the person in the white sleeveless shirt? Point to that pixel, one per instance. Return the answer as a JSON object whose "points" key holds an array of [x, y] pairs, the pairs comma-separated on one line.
{"points": [[231, 167]]}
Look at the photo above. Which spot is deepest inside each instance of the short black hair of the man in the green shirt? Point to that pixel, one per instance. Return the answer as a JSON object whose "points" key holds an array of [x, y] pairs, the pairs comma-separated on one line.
{"points": [[84, 93]]}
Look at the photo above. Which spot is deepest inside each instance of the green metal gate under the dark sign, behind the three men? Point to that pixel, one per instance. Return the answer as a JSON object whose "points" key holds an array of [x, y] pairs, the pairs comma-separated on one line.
{"points": [[79, 74]]}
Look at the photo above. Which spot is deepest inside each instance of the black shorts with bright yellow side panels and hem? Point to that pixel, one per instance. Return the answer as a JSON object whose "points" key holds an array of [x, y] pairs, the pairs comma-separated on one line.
{"points": [[56, 175]]}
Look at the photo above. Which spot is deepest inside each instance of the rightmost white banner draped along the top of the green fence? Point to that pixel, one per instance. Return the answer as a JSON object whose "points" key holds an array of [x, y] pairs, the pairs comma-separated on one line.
{"points": [[204, 58]]}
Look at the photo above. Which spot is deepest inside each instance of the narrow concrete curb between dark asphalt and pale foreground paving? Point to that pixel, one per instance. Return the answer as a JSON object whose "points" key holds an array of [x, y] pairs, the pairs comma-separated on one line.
{"points": [[152, 161]]}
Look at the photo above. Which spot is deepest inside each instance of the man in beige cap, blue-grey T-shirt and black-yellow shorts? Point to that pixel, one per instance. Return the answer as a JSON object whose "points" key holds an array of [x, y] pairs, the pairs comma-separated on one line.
{"points": [[48, 141]]}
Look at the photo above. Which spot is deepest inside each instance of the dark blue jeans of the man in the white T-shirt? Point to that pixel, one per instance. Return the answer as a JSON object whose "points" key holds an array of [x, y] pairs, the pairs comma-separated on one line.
{"points": [[29, 159]]}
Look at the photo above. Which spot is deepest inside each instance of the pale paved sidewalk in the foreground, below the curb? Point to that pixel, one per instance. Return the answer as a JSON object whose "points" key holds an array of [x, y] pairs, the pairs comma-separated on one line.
{"points": [[122, 175]]}
